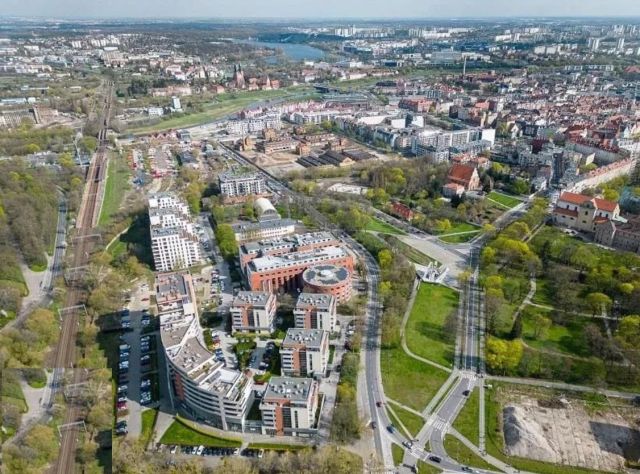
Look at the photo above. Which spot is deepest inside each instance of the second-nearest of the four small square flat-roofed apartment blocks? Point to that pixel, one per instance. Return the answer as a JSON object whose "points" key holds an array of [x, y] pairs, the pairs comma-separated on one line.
{"points": [[304, 352]]}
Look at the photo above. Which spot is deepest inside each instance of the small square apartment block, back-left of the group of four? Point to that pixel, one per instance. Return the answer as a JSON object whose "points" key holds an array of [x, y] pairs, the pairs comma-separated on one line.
{"points": [[253, 311]]}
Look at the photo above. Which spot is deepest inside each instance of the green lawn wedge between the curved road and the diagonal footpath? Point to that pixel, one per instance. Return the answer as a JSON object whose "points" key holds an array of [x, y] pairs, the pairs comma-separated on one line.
{"points": [[409, 381]]}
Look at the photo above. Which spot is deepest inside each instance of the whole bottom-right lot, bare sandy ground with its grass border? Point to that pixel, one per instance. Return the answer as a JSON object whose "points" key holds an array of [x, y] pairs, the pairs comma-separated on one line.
{"points": [[577, 432]]}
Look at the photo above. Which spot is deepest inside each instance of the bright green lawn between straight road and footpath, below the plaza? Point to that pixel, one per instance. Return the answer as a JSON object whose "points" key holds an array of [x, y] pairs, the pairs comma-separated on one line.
{"points": [[426, 332]]}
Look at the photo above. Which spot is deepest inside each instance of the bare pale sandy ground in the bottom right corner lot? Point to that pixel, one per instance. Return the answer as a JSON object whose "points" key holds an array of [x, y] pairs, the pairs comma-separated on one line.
{"points": [[568, 433]]}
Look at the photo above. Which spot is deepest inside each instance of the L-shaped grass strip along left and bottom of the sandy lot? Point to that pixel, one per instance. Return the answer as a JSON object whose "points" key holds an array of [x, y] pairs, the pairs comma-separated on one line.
{"points": [[495, 440]]}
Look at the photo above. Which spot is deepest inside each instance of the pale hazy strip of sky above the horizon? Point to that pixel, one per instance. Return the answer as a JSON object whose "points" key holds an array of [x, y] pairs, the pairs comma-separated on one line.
{"points": [[322, 9]]}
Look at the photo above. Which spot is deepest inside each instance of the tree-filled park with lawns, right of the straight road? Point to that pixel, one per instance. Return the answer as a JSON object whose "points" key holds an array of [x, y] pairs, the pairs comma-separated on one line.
{"points": [[581, 325]]}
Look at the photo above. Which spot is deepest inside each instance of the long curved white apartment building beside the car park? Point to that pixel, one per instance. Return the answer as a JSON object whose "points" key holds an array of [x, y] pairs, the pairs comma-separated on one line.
{"points": [[201, 386]]}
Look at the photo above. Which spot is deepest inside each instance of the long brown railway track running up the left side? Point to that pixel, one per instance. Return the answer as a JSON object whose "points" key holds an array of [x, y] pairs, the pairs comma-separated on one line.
{"points": [[65, 352]]}
